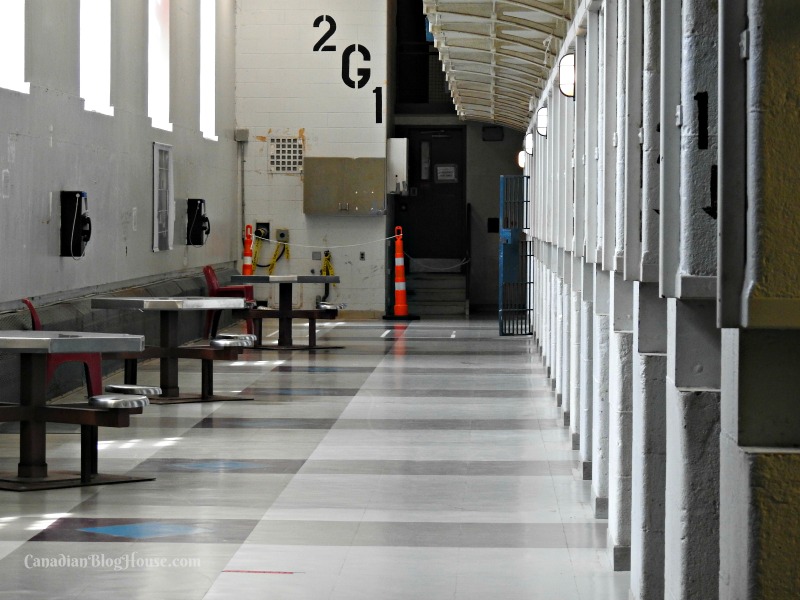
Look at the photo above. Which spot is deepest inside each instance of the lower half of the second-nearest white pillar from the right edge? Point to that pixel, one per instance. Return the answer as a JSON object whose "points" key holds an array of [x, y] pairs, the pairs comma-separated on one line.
{"points": [[693, 425]]}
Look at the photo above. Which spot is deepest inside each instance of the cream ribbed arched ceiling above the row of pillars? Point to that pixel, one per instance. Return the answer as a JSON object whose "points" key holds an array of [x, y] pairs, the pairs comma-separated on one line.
{"points": [[497, 54]]}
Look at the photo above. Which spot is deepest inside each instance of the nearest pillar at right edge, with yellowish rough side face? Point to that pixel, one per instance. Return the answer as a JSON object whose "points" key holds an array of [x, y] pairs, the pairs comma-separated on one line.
{"points": [[759, 290]]}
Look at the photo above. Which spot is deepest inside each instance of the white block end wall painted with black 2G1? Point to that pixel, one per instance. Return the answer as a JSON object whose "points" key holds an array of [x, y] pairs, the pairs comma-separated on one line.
{"points": [[286, 88]]}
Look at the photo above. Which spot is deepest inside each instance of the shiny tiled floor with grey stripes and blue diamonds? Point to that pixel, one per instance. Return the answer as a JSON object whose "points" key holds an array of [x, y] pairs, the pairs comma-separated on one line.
{"points": [[421, 461]]}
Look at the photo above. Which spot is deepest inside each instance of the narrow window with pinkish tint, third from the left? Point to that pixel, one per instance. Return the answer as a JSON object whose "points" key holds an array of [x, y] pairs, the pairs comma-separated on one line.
{"points": [[158, 64]]}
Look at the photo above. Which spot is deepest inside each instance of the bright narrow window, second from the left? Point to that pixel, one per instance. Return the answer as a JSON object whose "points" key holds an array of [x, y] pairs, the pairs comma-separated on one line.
{"points": [[96, 56]]}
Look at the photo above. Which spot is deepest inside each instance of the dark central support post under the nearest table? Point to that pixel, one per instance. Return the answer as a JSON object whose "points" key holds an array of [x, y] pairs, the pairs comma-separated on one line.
{"points": [[33, 431]]}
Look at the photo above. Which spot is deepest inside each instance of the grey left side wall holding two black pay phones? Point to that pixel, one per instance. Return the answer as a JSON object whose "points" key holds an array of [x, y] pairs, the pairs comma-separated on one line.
{"points": [[49, 143]]}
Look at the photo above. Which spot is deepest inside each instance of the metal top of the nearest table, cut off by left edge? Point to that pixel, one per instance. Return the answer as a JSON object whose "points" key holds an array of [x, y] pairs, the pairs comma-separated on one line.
{"points": [[59, 342]]}
